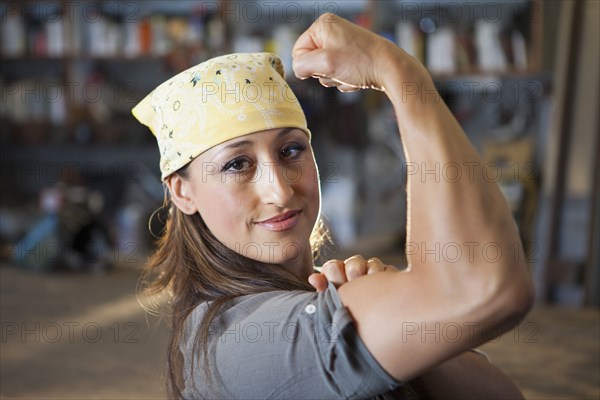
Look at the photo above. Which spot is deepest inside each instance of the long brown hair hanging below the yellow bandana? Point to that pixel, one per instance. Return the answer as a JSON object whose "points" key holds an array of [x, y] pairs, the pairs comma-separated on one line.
{"points": [[192, 266]]}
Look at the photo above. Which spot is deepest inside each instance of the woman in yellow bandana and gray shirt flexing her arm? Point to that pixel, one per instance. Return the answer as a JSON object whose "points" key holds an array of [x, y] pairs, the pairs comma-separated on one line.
{"points": [[244, 224]]}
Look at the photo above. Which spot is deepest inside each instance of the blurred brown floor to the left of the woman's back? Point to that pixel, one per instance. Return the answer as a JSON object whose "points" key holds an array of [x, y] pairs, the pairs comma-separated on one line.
{"points": [[92, 337]]}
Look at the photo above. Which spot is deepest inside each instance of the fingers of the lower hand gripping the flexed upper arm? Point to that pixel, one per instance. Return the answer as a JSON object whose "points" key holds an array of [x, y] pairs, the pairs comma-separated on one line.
{"points": [[339, 272]]}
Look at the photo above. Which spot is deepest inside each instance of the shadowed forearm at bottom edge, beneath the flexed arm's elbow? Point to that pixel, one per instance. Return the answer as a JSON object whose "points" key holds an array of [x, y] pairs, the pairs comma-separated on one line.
{"points": [[467, 376]]}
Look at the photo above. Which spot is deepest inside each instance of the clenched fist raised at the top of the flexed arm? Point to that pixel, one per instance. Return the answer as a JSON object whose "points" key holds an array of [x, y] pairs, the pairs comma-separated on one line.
{"points": [[342, 54]]}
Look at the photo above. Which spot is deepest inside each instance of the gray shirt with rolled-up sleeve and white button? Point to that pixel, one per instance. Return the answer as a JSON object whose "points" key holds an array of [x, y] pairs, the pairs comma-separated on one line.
{"points": [[285, 345]]}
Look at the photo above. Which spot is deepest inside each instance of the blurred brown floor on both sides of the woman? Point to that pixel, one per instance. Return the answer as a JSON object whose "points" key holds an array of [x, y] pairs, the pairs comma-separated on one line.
{"points": [[83, 336]]}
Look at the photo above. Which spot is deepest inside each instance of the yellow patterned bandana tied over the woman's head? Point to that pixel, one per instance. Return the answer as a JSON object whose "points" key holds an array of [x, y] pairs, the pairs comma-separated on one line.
{"points": [[218, 100]]}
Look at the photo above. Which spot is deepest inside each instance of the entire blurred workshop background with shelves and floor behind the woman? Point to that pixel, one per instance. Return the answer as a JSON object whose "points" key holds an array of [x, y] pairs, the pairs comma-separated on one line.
{"points": [[80, 177]]}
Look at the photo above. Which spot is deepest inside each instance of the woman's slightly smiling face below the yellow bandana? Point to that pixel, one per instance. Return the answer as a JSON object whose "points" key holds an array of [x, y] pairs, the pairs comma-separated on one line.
{"points": [[240, 186]]}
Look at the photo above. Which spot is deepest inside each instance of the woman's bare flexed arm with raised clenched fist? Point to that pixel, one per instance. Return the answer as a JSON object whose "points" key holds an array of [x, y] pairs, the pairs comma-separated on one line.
{"points": [[467, 280]]}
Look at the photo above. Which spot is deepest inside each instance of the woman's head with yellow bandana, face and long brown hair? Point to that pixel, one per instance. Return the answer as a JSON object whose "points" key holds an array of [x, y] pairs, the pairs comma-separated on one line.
{"points": [[243, 194]]}
